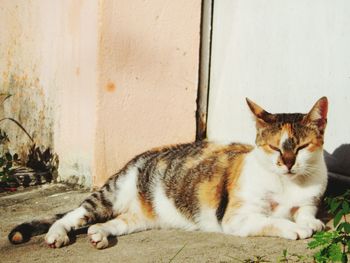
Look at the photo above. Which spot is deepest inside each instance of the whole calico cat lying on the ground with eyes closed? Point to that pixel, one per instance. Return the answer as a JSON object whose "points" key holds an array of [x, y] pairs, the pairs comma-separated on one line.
{"points": [[272, 189]]}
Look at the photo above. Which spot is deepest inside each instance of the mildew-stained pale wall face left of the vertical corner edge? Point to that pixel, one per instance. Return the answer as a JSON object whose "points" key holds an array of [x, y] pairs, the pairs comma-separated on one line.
{"points": [[49, 64]]}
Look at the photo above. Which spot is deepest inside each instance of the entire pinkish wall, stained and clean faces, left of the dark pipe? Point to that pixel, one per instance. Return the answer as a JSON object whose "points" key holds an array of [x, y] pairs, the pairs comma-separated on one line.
{"points": [[100, 81]]}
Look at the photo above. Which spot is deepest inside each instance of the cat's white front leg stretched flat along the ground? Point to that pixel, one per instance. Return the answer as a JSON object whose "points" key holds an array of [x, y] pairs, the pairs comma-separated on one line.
{"points": [[261, 225]]}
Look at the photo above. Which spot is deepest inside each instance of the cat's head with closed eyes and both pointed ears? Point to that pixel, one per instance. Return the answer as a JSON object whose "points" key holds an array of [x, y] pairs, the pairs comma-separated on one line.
{"points": [[291, 143]]}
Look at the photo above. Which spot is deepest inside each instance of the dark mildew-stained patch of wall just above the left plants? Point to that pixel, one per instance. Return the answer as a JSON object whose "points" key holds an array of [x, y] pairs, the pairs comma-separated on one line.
{"points": [[27, 105]]}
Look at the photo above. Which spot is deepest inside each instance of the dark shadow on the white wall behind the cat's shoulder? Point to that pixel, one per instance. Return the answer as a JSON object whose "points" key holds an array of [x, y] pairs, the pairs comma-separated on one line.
{"points": [[338, 164]]}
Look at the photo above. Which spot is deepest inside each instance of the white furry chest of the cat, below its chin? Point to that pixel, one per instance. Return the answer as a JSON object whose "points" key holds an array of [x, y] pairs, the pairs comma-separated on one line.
{"points": [[274, 195]]}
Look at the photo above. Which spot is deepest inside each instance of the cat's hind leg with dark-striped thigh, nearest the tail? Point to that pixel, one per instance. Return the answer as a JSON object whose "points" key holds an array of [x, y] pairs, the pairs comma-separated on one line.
{"points": [[97, 207]]}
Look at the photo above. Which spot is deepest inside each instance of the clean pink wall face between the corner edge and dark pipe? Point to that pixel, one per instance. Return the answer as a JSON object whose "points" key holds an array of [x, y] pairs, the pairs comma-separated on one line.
{"points": [[148, 61]]}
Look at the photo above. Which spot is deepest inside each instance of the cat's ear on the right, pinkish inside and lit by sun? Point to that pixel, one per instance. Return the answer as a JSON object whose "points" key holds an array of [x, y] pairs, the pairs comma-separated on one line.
{"points": [[318, 114]]}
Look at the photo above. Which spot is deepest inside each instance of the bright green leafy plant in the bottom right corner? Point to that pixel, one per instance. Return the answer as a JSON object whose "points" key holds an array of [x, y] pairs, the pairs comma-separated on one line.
{"points": [[334, 246]]}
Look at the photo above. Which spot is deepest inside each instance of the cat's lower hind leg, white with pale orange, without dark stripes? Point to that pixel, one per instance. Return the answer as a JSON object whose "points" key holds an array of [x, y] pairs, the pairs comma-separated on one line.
{"points": [[123, 224]]}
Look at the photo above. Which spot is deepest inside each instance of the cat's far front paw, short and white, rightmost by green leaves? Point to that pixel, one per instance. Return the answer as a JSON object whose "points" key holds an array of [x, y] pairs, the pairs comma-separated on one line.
{"points": [[305, 216]]}
